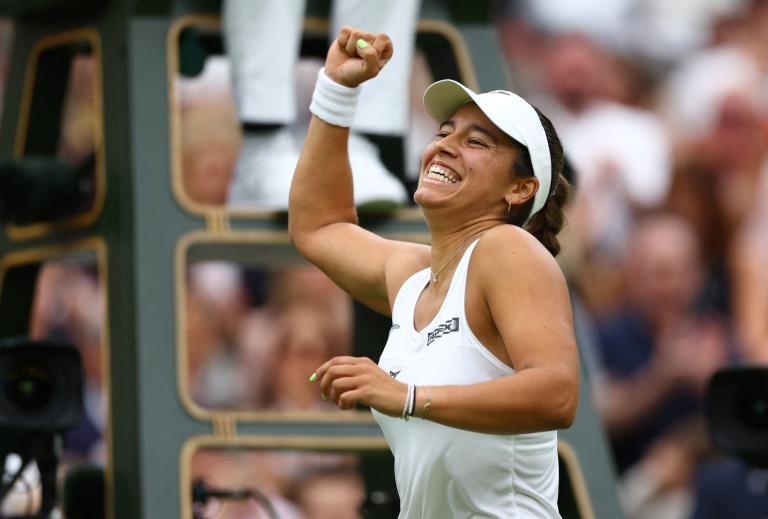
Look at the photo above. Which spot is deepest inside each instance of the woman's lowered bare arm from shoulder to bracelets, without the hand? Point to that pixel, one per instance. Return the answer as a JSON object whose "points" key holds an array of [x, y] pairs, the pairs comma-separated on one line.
{"points": [[526, 297]]}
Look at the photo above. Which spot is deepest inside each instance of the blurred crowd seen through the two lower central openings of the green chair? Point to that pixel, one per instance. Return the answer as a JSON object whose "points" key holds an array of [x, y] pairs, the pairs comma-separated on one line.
{"points": [[254, 335]]}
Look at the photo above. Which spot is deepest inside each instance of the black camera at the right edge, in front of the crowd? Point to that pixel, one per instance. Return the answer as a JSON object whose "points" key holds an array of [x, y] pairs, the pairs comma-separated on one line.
{"points": [[737, 412]]}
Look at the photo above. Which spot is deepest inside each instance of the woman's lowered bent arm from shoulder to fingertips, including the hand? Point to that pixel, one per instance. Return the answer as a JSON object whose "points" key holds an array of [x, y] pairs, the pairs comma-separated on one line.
{"points": [[527, 300]]}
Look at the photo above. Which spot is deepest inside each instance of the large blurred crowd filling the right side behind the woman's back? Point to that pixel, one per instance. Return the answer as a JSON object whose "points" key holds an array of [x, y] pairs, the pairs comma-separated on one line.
{"points": [[663, 112]]}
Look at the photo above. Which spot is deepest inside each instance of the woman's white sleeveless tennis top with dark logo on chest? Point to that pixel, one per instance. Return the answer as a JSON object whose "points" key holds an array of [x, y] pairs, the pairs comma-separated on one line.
{"points": [[443, 472]]}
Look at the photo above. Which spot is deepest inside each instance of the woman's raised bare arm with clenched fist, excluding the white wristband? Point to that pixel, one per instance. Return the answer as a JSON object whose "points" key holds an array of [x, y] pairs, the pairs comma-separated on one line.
{"points": [[321, 210]]}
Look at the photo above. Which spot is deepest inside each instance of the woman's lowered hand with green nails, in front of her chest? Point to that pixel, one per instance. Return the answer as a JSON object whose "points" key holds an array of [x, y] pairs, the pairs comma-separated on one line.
{"points": [[349, 381]]}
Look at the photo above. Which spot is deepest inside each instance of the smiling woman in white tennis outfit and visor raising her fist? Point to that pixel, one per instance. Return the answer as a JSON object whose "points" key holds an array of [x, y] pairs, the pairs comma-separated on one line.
{"points": [[480, 367]]}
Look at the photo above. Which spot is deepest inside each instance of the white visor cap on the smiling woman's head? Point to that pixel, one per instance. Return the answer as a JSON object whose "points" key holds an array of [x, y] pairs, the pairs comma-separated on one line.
{"points": [[510, 113]]}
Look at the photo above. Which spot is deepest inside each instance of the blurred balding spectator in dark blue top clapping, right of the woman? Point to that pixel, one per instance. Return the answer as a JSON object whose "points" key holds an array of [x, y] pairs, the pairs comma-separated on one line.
{"points": [[658, 352]]}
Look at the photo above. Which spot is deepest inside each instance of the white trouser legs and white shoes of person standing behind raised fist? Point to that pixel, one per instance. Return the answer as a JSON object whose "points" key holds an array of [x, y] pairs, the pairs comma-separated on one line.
{"points": [[262, 40]]}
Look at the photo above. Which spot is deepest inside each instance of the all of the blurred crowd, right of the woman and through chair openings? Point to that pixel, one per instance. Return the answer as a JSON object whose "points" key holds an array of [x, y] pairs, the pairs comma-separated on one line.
{"points": [[663, 111]]}
